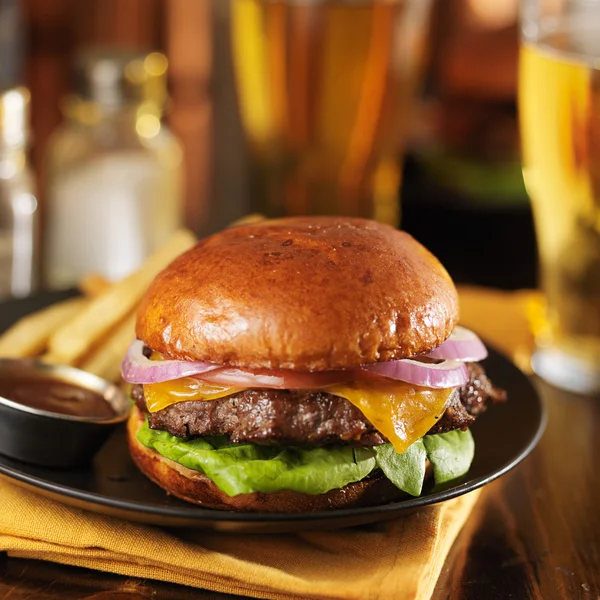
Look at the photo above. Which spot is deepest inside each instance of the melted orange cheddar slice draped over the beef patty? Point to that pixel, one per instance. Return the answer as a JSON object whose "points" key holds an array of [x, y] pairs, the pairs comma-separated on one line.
{"points": [[402, 412]]}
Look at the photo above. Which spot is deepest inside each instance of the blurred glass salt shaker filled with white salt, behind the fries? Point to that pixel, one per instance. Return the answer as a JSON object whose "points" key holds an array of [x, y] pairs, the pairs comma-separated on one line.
{"points": [[113, 170]]}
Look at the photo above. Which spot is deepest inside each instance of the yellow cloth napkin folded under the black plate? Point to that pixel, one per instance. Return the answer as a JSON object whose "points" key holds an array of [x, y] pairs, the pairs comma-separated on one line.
{"points": [[398, 559]]}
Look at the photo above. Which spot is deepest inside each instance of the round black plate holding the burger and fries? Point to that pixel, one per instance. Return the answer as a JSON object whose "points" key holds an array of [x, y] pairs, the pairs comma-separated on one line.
{"points": [[112, 485]]}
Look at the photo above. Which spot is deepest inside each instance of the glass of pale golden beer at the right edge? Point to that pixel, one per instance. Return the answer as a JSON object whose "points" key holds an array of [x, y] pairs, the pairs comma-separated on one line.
{"points": [[559, 105]]}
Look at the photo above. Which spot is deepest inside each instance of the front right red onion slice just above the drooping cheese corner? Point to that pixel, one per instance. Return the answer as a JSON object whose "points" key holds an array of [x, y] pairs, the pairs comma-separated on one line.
{"points": [[447, 374]]}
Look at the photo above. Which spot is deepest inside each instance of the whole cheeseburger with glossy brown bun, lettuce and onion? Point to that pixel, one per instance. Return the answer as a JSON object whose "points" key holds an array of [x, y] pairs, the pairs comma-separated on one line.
{"points": [[303, 364]]}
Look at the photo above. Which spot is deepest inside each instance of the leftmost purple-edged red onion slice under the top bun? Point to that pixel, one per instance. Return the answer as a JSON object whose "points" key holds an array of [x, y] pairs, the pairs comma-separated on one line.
{"points": [[136, 368]]}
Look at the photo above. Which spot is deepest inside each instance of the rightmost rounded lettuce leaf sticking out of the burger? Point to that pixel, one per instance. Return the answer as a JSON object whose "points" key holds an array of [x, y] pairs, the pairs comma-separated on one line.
{"points": [[451, 454]]}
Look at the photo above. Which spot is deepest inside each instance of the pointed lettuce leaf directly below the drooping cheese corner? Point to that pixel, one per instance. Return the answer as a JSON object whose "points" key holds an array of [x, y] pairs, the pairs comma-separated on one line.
{"points": [[406, 471]]}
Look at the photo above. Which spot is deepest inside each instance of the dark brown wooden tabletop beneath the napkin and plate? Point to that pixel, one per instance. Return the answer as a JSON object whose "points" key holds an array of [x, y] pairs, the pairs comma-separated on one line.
{"points": [[534, 534]]}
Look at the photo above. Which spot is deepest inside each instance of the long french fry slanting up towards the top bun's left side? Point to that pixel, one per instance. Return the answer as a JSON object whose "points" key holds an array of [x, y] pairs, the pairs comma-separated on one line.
{"points": [[75, 339]]}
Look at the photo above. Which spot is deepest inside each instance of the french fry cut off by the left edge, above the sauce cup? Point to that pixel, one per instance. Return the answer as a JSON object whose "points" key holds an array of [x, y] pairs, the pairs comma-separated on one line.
{"points": [[29, 336]]}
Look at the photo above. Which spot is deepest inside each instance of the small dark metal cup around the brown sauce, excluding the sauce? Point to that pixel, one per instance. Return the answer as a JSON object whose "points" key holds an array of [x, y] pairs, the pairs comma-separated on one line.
{"points": [[53, 439]]}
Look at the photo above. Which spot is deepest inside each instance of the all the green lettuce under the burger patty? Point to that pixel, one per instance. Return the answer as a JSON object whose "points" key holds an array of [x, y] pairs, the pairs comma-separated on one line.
{"points": [[246, 468]]}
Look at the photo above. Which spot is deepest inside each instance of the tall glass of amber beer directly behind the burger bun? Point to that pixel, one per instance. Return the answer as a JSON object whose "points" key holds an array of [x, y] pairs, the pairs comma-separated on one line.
{"points": [[325, 90]]}
